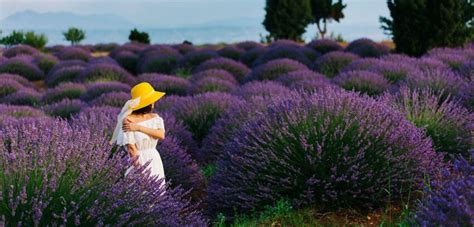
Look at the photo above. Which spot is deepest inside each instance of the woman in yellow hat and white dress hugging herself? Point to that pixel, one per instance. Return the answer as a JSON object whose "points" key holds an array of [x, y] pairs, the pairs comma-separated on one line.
{"points": [[139, 129]]}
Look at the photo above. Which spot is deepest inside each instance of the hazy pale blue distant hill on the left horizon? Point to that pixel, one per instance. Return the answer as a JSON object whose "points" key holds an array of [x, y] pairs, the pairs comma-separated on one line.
{"points": [[61, 20]]}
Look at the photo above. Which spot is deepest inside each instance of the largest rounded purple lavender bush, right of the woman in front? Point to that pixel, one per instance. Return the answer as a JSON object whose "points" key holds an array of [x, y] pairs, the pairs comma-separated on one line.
{"points": [[329, 148]]}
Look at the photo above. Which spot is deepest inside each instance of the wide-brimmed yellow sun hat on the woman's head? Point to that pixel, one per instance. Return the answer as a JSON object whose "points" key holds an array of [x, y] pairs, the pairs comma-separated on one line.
{"points": [[146, 93]]}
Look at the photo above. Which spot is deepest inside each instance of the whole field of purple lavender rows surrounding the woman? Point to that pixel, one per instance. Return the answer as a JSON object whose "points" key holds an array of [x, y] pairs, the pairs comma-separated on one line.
{"points": [[252, 131]]}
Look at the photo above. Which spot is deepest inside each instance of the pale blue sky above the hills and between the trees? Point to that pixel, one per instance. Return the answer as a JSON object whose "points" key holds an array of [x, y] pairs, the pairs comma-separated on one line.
{"points": [[362, 16]]}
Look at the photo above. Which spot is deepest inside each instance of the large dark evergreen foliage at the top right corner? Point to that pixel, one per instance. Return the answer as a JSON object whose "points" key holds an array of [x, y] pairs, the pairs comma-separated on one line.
{"points": [[420, 25]]}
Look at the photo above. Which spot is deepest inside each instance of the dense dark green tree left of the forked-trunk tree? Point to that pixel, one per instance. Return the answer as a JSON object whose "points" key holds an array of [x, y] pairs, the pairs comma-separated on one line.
{"points": [[287, 19]]}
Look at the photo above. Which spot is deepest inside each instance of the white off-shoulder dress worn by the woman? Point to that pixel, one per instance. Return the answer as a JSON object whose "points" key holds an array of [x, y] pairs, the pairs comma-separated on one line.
{"points": [[146, 147]]}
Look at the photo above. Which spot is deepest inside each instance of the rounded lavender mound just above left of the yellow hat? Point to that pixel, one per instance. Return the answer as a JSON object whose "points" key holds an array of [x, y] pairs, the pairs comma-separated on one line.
{"points": [[105, 72]]}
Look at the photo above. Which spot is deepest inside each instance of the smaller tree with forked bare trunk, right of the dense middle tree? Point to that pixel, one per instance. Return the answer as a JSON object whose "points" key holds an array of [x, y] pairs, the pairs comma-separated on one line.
{"points": [[325, 11]]}
